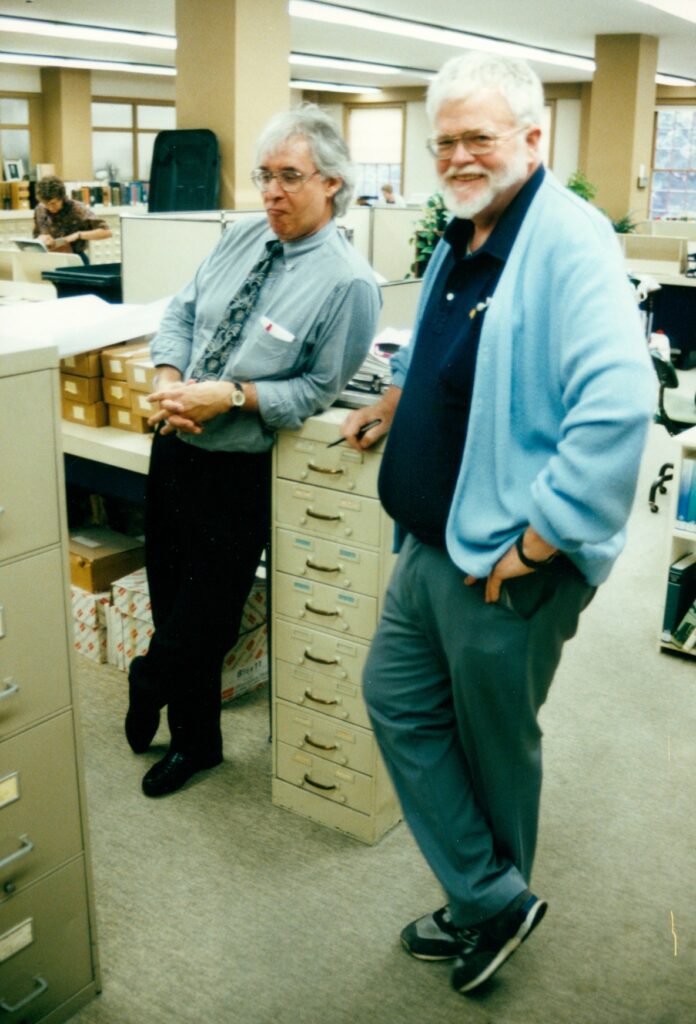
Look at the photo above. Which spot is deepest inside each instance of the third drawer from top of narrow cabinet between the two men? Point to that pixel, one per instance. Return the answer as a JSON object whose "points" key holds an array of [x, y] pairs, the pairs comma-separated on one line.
{"points": [[327, 562]]}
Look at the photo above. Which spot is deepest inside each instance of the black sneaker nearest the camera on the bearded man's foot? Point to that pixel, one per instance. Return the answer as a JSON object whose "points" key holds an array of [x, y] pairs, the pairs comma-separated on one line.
{"points": [[489, 946]]}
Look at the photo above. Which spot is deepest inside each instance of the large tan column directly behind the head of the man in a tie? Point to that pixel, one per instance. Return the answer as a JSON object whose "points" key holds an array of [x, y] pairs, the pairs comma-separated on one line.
{"points": [[233, 75]]}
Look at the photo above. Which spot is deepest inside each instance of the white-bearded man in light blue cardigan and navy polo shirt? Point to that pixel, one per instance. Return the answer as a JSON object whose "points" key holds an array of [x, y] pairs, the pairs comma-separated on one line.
{"points": [[516, 422]]}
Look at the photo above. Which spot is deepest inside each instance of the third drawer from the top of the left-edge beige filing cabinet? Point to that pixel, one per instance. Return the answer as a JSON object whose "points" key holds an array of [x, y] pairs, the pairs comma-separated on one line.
{"points": [[39, 807]]}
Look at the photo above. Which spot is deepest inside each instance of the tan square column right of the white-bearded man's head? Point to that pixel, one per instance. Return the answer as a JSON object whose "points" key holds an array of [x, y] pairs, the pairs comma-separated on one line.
{"points": [[622, 117]]}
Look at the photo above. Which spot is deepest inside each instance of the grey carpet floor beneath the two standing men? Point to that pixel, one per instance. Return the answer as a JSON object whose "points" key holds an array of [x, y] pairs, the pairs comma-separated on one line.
{"points": [[215, 907]]}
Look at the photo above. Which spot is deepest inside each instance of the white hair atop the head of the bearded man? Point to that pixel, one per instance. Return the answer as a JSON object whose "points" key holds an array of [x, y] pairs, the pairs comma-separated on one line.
{"points": [[473, 72]]}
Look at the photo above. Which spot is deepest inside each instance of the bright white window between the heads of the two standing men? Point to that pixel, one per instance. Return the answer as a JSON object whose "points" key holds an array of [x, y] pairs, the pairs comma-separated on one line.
{"points": [[376, 143]]}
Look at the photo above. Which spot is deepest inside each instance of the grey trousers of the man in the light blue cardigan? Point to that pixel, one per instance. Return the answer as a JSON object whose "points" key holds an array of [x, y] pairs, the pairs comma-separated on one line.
{"points": [[454, 688]]}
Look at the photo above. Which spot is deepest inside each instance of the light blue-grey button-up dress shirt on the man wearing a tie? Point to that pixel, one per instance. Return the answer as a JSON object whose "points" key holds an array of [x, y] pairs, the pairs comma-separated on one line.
{"points": [[310, 332]]}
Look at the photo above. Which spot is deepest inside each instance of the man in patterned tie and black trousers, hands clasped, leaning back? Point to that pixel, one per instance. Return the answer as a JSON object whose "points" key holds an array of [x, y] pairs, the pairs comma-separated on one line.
{"points": [[276, 322]]}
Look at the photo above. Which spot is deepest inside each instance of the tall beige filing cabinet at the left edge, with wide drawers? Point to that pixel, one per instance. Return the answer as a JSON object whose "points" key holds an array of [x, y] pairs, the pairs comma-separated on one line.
{"points": [[49, 963]]}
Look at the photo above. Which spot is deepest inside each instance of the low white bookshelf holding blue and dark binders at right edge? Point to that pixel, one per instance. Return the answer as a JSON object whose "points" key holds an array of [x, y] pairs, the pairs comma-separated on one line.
{"points": [[681, 586]]}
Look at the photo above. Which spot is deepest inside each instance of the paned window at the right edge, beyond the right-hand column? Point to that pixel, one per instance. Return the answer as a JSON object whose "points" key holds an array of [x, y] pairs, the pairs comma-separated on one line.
{"points": [[674, 180]]}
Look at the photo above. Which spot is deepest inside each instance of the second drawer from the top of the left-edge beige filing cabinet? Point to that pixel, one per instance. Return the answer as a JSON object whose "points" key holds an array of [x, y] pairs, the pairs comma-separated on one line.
{"points": [[34, 673]]}
